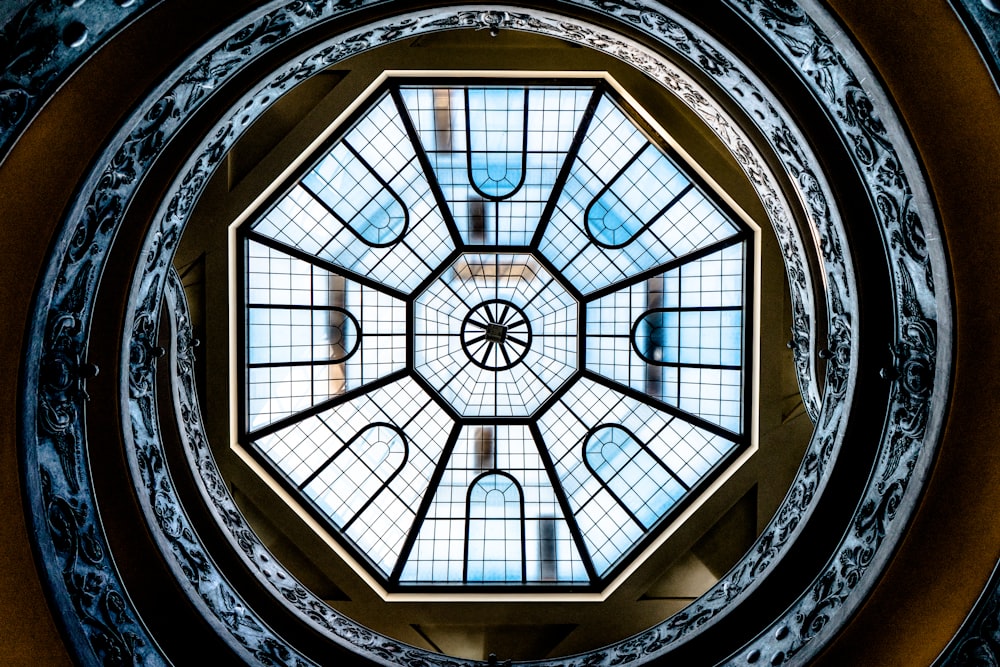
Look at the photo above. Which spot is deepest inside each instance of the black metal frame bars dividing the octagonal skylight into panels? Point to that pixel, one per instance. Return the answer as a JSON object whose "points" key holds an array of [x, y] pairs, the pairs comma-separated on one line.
{"points": [[743, 236]]}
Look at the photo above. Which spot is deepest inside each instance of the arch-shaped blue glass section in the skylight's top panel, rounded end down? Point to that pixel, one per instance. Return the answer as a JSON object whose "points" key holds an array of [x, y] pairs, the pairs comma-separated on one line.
{"points": [[496, 140]]}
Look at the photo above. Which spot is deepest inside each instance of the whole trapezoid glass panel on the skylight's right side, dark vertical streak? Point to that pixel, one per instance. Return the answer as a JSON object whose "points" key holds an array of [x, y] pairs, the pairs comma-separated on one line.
{"points": [[678, 336]]}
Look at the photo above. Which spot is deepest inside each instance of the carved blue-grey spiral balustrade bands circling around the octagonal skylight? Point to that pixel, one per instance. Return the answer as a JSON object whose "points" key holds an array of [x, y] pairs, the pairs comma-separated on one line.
{"points": [[100, 621]]}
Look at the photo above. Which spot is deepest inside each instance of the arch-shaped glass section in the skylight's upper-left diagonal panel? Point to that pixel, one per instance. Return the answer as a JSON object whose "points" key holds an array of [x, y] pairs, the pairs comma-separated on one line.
{"points": [[354, 193]]}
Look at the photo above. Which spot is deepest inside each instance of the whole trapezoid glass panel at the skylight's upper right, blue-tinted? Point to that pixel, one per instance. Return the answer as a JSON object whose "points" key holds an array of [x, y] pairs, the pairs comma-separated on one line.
{"points": [[626, 207]]}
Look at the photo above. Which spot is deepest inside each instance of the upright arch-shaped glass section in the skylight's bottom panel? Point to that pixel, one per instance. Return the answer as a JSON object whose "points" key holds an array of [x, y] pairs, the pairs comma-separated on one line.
{"points": [[495, 532]]}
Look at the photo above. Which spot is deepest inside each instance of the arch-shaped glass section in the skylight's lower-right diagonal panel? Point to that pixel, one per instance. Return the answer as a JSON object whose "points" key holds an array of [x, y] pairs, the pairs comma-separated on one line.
{"points": [[640, 482]]}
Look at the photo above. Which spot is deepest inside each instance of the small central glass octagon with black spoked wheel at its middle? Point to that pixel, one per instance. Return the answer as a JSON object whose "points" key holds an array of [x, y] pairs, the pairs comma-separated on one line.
{"points": [[495, 334]]}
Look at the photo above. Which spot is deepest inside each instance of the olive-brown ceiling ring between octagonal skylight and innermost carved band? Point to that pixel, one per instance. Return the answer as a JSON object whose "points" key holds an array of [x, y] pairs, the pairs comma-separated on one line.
{"points": [[700, 548]]}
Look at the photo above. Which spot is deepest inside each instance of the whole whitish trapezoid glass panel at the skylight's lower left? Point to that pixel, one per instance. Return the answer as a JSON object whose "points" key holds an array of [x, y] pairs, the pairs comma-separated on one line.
{"points": [[368, 480]]}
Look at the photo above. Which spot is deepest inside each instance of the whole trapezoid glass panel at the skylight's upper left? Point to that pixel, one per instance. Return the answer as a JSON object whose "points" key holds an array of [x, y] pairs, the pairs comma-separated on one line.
{"points": [[366, 206]]}
